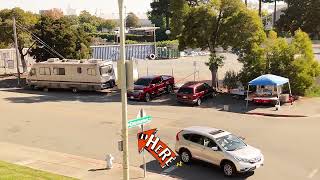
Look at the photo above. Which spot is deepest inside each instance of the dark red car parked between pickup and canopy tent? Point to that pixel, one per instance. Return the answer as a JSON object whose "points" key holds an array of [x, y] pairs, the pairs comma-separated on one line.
{"points": [[195, 93]]}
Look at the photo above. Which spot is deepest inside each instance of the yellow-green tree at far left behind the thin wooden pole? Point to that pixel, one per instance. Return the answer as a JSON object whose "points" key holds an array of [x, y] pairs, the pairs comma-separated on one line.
{"points": [[25, 21]]}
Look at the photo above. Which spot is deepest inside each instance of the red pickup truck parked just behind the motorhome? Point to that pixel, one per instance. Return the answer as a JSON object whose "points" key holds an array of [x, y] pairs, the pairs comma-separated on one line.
{"points": [[145, 88]]}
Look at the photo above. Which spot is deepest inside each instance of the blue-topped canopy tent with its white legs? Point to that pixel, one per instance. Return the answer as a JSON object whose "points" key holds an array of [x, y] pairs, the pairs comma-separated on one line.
{"points": [[268, 79]]}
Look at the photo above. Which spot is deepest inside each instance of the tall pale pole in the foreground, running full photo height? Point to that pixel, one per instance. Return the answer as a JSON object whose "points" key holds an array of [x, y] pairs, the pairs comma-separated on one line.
{"points": [[125, 163]]}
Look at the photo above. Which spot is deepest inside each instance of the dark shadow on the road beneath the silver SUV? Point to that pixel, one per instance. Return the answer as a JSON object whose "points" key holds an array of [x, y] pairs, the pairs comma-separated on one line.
{"points": [[197, 170]]}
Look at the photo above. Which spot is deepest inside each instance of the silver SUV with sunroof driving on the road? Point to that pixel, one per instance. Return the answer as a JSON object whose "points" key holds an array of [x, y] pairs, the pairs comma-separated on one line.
{"points": [[218, 147]]}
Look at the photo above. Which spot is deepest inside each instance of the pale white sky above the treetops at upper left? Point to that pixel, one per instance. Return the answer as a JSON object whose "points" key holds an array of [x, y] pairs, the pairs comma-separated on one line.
{"points": [[108, 8]]}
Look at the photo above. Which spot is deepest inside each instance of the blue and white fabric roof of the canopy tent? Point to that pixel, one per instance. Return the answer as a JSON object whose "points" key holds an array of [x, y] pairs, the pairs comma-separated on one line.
{"points": [[269, 79]]}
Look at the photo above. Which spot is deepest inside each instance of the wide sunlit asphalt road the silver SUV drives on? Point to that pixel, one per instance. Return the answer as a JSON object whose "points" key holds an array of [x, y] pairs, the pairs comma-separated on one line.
{"points": [[89, 124]]}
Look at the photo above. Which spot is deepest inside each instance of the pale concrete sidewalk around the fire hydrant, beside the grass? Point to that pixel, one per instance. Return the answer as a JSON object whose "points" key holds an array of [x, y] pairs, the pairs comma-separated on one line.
{"points": [[66, 164]]}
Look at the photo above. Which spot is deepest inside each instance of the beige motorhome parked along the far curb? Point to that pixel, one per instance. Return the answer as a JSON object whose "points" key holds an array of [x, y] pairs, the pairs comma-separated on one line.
{"points": [[77, 75]]}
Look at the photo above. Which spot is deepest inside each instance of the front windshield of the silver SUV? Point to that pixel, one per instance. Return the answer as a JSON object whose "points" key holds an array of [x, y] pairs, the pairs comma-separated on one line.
{"points": [[231, 142]]}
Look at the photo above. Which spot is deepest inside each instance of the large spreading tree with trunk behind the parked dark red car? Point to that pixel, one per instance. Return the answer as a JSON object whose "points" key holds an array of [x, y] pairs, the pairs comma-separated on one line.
{"points": [[221, 23]]}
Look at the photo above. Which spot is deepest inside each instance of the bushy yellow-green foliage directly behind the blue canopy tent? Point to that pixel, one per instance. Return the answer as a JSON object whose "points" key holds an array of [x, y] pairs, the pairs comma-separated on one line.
{"points": [[277, 56]]}
